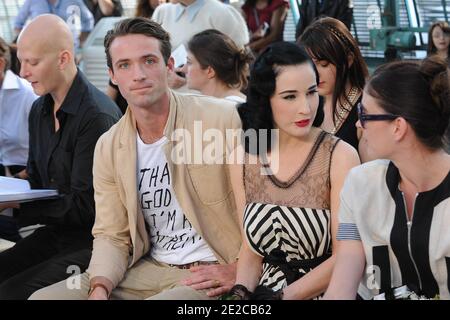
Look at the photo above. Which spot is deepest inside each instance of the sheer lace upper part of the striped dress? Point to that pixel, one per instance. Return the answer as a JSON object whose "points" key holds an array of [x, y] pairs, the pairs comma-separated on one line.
{"points": [[309, 187]]}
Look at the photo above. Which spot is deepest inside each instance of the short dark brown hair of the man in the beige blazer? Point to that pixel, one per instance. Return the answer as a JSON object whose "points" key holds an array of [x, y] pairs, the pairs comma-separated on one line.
{"points": [[142, 26]]}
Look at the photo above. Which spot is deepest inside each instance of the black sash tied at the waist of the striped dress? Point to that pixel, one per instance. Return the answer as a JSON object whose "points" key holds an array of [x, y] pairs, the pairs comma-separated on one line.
{"points": [[278, 258]]}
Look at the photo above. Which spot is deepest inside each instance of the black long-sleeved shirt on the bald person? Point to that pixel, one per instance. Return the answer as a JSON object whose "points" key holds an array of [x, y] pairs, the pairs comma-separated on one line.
{"points": [[63, 160]]}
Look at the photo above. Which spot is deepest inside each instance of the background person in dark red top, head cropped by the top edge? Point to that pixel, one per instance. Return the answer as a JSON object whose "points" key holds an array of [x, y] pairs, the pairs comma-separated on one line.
{"points": [[265, 21]]}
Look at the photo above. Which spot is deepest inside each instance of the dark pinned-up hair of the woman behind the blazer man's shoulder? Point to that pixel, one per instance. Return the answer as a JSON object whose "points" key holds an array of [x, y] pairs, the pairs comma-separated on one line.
{"points": [[214, 49]]}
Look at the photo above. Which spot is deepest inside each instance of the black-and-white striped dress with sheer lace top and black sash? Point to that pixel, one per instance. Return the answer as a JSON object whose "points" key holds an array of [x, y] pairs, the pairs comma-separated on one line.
{"points": [[290, 221]]}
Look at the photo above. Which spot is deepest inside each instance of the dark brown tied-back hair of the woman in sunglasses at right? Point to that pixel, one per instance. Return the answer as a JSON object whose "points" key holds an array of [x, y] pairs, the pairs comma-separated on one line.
{"points": [[418, 92]]}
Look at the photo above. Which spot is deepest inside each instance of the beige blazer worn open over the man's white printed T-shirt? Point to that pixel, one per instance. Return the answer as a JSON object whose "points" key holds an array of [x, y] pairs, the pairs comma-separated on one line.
{"points": [[203, 191]]}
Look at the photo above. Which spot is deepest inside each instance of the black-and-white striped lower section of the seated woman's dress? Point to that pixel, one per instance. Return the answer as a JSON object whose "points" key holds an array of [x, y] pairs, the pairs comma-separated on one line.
{"points": [[302, 233]]}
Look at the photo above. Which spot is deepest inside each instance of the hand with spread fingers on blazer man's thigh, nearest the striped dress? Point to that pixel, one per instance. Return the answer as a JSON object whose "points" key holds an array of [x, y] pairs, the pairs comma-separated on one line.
{"points": [[218, 278]]}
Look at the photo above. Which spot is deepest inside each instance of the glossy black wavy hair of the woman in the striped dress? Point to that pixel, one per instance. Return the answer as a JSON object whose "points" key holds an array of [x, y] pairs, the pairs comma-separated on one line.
{"points": [[256, 113]]}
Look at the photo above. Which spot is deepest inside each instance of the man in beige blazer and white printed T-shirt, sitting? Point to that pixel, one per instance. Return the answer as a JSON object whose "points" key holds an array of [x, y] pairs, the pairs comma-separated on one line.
{"points": [[166, 223]]}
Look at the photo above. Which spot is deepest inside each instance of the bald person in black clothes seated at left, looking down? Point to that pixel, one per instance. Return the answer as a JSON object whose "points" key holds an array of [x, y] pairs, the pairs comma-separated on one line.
{"points": [[64, 125]]}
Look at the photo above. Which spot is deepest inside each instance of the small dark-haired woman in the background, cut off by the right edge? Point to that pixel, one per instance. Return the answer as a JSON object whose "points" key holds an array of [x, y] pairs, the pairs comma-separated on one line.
{"points": [[439, 40]]}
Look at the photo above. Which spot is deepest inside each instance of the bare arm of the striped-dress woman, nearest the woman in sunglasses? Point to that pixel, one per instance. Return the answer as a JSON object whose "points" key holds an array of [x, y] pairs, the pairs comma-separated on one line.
{"points": [[316, 282]]}
